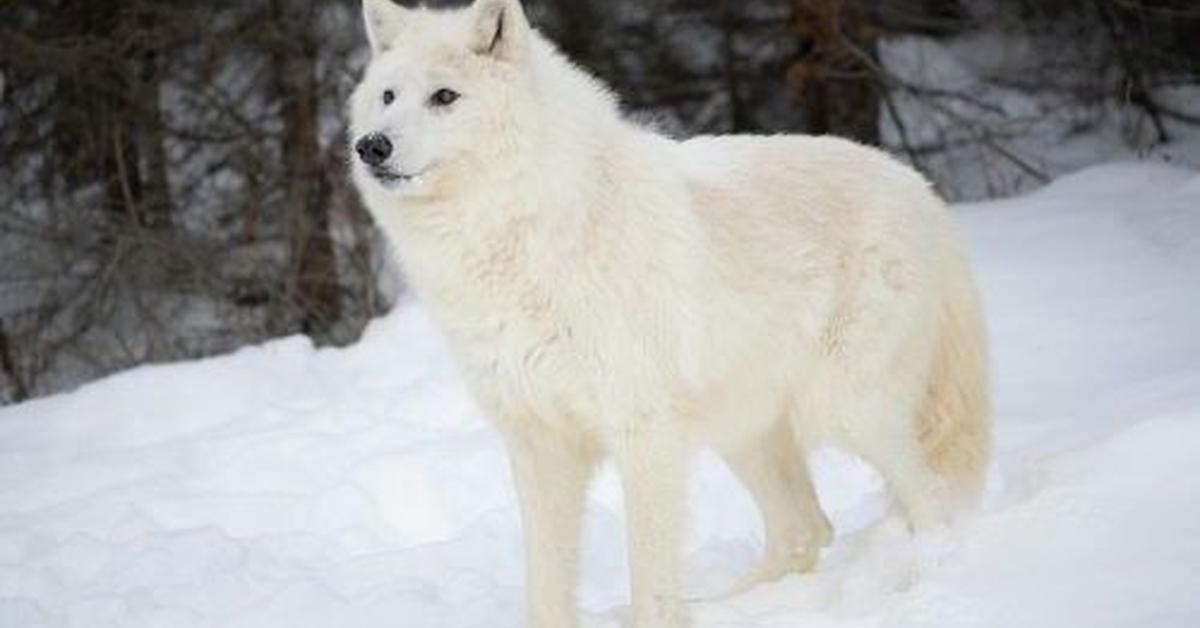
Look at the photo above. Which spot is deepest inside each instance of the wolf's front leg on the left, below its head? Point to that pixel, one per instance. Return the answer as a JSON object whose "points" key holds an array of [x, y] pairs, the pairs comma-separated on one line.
{"points": [[551, 475]]}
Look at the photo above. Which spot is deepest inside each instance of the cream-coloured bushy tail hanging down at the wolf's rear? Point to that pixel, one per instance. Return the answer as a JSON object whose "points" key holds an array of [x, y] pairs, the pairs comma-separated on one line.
{"points": [[955, 418]]}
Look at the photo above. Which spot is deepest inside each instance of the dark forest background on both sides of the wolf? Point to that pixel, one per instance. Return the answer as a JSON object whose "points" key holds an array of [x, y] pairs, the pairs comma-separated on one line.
{"points": [[173, 181]]}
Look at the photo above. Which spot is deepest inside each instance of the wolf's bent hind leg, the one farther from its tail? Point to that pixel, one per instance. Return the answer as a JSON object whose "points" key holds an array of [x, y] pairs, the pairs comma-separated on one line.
{"points": [[775, 471]]}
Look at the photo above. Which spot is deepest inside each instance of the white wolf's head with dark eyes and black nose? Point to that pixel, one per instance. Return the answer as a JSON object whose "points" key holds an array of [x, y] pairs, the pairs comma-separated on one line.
{"points": [[443, 101]]}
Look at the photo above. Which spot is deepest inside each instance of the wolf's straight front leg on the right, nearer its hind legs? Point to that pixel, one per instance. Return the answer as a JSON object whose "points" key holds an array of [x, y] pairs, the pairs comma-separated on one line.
{"points": [[653, 466]]}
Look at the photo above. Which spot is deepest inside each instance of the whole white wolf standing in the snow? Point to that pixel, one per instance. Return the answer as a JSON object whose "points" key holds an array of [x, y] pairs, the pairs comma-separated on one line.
{"points": [[608, 291]]}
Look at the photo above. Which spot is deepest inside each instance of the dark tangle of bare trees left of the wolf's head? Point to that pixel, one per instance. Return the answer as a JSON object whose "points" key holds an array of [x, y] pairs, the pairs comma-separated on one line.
{"points": [[175, 184]]}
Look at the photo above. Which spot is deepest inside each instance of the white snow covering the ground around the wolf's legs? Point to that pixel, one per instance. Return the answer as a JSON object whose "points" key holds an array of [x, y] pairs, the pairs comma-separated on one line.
{"points": [[285, 487]]}
